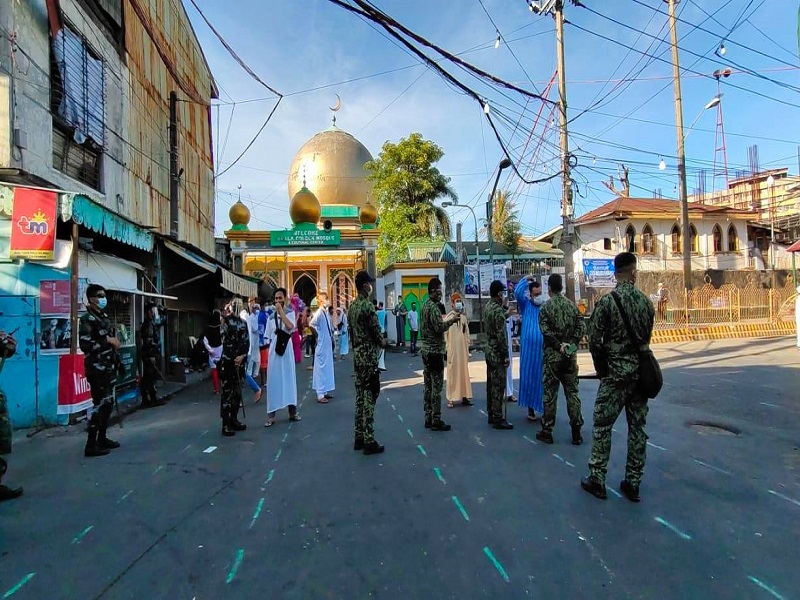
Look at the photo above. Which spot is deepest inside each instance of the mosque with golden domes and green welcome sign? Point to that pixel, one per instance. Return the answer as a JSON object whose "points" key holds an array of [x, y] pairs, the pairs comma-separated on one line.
{"points": [[335, 227]]}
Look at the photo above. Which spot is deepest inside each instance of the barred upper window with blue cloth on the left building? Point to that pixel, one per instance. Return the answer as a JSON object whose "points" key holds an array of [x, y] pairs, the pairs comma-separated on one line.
{"points": [[77, 103]]}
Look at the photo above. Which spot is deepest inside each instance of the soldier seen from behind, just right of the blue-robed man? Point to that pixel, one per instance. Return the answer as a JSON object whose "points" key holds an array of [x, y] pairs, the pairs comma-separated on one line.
{"points": [[562, 329]]}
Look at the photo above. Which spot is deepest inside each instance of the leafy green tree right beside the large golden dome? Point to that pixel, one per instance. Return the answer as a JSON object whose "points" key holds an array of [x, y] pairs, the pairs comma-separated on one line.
{"points": [[407, 186]]}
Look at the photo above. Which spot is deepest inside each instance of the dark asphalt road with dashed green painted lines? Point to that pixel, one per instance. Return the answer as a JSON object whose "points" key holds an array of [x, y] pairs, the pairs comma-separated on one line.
{"points": [[180, 512]]}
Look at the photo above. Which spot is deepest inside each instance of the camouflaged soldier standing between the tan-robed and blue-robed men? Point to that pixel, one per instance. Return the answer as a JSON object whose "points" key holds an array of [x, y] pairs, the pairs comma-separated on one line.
{"points": [[496, 352]]}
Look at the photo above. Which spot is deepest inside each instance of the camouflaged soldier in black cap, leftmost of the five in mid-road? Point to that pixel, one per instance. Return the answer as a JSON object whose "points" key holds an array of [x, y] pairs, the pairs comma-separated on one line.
{"points": [[367, 339]]}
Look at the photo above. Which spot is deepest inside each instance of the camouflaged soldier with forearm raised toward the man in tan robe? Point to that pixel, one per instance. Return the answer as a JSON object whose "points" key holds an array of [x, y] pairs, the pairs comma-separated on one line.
{"points": [[432, 325]]}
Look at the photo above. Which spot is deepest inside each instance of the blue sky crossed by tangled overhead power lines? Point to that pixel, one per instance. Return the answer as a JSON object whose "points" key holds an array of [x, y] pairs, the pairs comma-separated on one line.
{"points": [[310, 50]]}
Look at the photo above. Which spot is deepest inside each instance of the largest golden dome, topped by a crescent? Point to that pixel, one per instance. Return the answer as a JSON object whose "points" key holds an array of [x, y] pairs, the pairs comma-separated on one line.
{"points": [[332, 165]]}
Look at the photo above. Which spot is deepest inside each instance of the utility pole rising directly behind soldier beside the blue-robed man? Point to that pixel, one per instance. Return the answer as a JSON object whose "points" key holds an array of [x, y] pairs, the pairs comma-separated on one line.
{"points": [[567, 227]]}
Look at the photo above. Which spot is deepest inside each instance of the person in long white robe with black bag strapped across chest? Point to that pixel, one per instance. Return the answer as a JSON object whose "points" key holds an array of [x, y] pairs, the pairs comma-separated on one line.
{"points": [[281, 379]]}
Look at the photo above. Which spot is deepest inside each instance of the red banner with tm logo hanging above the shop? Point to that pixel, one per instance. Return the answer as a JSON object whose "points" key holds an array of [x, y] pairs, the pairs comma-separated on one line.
{"points": [[33, 224]]}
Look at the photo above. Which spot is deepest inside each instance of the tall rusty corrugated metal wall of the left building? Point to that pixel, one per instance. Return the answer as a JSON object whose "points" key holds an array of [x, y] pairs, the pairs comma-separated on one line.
{"points": [[164, 55]]}
